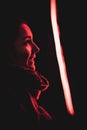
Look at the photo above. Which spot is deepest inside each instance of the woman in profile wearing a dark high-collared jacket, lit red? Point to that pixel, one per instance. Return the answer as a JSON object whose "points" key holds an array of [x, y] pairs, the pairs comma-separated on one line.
{"points": [[21, 84]]}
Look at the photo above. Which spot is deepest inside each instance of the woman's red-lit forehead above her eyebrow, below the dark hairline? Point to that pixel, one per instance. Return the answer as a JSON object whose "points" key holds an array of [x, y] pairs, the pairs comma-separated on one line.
{"points": [[25, 30]]}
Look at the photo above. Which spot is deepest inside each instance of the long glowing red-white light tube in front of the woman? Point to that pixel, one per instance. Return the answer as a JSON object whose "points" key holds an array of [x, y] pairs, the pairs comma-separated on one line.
{"points": [[60, 59]]}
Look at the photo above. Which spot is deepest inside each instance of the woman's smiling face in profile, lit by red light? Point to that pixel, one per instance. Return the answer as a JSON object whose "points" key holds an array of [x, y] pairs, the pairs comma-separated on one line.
{"points": [[25, 47]]}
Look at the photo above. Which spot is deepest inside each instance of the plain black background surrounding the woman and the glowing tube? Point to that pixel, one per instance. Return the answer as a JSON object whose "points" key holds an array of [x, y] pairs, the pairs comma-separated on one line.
{"points": [[72, 22]]}
